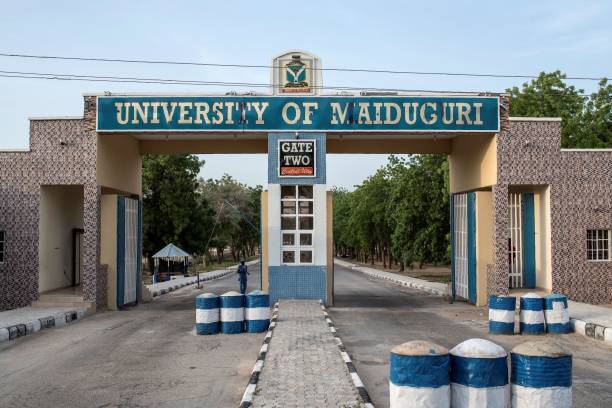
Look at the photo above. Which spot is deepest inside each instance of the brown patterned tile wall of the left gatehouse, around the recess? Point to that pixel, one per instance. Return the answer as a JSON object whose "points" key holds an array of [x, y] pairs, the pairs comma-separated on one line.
{"points": [[61, 152]]}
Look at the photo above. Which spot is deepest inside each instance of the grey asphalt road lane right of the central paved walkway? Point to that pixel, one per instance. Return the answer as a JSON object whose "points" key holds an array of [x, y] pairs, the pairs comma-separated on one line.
{"points": [[372, 316]]}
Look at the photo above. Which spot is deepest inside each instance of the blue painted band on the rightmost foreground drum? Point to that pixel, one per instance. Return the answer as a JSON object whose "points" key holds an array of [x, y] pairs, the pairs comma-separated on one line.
{"points": [[541, 372]]}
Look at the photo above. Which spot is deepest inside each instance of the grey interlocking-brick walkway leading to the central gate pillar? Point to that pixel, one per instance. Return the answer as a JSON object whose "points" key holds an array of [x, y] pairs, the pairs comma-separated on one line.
{"points": [[303, 365]]}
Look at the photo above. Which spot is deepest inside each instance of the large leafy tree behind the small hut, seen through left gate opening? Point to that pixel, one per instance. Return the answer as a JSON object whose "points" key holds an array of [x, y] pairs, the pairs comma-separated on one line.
{"points": [[172, 208]]}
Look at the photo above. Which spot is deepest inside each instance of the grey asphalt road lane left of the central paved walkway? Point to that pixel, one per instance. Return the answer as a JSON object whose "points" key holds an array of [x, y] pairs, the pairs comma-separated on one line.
{"points": [[147, 356]]}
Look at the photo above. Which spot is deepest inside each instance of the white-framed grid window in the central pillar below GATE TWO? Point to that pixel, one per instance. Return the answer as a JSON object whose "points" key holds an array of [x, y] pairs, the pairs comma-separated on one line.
{"points": [[297, 224]]}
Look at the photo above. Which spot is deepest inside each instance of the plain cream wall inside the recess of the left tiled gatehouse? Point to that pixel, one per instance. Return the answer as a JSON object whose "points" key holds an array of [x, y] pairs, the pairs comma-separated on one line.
{"points": [[61, 210]]}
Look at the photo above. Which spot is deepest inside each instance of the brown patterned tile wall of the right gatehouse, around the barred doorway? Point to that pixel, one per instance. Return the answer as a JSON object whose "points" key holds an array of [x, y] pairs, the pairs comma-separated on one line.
{"points": [[529, 153]]}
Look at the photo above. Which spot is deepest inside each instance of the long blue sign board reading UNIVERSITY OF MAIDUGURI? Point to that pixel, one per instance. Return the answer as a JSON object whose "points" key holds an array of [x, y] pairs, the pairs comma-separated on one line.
{"points": [[297, 113]]}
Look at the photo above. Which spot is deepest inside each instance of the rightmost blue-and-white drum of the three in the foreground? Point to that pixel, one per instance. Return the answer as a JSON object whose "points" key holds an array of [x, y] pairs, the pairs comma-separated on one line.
{"points": [[541, 376]]}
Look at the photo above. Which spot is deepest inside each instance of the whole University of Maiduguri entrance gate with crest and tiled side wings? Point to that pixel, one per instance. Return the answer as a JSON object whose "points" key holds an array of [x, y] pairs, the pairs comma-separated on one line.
{"points": [[506, 177]]}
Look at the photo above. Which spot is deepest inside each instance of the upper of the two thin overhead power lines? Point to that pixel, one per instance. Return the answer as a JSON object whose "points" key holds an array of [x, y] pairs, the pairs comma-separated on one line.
{"points": [[363, 70]]}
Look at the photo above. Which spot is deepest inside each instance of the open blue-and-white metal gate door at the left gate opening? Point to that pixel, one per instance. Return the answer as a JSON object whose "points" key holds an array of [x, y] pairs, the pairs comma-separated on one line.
{"points": [[128, 250]]}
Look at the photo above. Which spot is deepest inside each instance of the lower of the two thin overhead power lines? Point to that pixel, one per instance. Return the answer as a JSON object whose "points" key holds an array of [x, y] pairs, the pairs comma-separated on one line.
{"points": [[169, 81]]}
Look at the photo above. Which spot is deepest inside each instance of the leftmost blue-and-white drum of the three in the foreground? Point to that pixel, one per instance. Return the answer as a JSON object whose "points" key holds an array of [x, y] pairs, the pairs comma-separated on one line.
{"points": [[419, 375]]}
